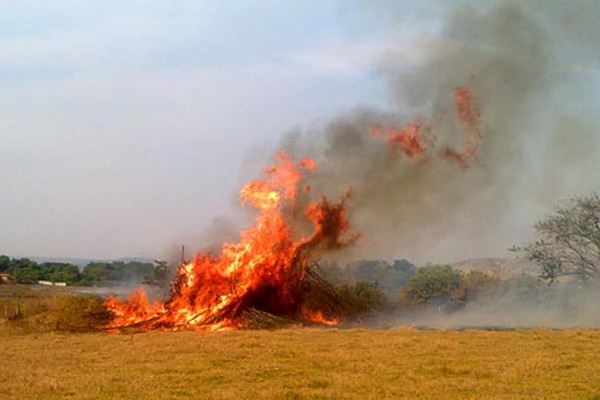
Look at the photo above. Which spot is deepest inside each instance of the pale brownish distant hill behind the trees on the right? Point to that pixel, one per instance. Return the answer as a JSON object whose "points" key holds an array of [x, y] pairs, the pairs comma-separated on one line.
{"points": [[501, 267]]}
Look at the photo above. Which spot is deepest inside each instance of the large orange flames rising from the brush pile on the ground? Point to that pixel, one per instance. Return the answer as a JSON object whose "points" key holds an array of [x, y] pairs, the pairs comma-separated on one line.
{"points": [[265, 270]]}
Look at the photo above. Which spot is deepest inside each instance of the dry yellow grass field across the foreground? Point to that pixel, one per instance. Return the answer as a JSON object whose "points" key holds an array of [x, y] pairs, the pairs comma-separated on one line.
{"points": [[302, 364]]}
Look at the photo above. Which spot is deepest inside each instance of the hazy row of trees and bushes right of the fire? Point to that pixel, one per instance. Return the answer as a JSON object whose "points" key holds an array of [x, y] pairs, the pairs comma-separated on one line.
{"points": [[372, 285]]}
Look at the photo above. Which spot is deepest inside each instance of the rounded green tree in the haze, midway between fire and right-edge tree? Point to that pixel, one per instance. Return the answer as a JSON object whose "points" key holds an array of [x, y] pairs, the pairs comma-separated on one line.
{"points": [[432, 284]]}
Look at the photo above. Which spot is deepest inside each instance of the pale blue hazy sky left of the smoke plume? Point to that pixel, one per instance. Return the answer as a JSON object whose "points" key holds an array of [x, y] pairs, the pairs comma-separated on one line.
{"points": [[127, 127]]}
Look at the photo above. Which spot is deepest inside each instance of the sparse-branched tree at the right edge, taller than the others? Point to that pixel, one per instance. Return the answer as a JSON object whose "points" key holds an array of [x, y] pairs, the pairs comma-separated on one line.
{"points": [[568, 242]]}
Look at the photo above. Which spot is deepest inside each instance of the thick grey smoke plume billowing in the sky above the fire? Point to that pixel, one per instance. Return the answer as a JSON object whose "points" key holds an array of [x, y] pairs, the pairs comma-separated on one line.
{"points": [[523, 65]]}
